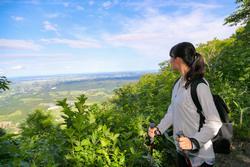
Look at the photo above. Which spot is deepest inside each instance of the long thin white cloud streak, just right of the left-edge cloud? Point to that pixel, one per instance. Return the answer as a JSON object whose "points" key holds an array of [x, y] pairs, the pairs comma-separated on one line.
{"points": [[78, 43]]}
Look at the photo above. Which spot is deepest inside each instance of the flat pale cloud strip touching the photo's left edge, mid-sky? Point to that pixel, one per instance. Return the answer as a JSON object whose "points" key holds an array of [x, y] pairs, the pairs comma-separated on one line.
{"points": [[19, 44]]}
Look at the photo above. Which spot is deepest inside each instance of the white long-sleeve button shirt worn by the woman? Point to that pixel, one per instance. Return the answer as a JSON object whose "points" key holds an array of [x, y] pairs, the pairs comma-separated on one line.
{"points": [[182, 114]]}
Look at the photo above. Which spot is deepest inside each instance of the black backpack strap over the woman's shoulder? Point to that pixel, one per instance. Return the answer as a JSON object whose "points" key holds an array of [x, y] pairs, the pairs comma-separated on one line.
{"points": [[195, 99]]}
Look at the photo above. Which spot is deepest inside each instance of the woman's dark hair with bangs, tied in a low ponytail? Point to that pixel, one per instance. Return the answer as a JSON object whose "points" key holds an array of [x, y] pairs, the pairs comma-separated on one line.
{"points": [[186, 51]]}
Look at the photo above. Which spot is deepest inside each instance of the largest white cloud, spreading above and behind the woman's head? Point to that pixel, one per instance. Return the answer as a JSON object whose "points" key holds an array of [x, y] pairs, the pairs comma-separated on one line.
{"points": [[156, 33]]}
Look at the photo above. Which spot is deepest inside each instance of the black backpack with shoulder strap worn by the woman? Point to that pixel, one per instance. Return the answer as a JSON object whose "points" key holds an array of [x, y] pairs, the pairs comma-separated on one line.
{"points": [[222, 141]]}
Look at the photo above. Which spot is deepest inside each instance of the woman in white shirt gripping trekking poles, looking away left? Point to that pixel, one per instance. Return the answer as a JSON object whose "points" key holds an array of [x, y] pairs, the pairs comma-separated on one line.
{"points": [[194, 146]]}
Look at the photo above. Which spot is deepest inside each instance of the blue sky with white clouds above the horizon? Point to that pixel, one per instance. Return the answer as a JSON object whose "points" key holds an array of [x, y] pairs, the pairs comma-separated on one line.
{"points": [[46, 37]]}
